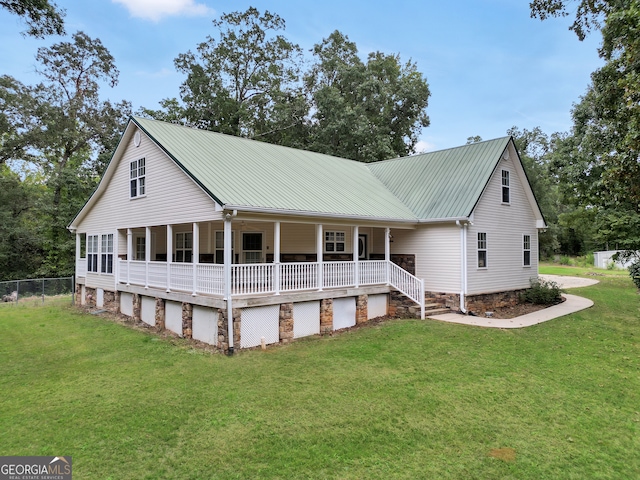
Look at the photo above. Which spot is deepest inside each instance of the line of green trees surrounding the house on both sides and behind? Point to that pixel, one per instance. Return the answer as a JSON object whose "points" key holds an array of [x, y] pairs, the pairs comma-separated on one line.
{"points": [[248, 79]]}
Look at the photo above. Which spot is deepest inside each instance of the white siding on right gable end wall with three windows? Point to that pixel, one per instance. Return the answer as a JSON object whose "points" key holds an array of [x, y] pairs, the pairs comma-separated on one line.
{"points": [[505, 226]]}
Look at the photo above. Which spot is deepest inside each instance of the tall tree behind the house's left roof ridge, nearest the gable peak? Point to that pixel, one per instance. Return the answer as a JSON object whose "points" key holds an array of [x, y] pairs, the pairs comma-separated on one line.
{"points": [[240, 82]]}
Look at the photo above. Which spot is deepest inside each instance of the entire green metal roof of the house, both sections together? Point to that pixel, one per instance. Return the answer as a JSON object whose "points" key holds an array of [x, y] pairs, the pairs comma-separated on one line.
{"points": [[240, 172]]}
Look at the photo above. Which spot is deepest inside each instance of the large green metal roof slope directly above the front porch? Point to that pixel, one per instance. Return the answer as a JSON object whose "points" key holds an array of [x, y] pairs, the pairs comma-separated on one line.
{"points": [[246, 173]]}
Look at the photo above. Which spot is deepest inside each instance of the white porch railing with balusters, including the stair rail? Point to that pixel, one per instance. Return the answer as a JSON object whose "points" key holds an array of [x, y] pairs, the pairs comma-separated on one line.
{"points": [[260, 278]]}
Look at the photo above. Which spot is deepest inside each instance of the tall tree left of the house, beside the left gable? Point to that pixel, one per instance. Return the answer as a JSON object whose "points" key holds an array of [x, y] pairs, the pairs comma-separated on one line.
{"points": [[62, 131]]}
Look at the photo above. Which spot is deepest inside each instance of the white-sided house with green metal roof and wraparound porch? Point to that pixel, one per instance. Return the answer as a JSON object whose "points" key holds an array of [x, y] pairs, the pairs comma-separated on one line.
{"points": [[188, 228]]}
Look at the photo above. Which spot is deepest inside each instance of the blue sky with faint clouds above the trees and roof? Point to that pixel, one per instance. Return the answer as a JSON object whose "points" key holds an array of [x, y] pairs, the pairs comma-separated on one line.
{"points": [[488, 64]]}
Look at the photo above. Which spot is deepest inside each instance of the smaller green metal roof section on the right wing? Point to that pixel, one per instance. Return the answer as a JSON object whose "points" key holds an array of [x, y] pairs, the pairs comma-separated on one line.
{"points": [[443, 184]]}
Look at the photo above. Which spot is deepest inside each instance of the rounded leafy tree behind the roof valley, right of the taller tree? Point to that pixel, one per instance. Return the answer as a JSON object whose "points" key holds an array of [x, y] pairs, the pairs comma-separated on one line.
{"points": [[364, 111]]}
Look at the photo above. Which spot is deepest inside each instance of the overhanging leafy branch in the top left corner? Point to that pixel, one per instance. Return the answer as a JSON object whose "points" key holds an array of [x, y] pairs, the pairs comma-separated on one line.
{"points": [[42, 17]]}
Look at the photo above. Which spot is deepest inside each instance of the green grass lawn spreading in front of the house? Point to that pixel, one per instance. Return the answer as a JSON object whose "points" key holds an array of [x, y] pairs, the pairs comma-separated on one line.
{"points": [[404, 399]]}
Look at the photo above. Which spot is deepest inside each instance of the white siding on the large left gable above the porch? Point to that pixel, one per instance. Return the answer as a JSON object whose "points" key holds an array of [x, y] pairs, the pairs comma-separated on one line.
{"points": [[171, 196]]}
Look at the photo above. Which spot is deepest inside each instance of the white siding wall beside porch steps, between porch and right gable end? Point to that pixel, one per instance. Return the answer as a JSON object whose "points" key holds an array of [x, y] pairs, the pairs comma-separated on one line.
{"points": [[437, 251]]}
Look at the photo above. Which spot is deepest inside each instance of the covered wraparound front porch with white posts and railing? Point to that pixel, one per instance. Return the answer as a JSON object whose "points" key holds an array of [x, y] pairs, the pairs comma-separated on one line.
{"points": [[247, 258]]}
